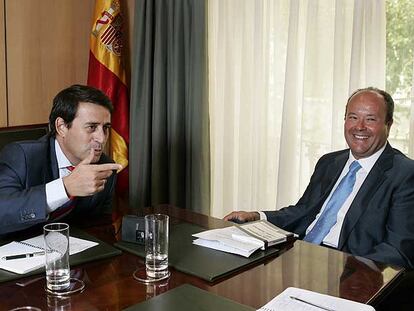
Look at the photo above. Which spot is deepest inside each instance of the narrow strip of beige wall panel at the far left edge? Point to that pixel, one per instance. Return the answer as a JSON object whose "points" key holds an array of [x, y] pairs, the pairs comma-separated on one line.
{"points": [[3, 98]]}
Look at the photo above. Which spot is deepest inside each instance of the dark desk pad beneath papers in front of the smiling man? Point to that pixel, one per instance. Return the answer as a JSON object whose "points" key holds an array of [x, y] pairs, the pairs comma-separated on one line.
{"points": [[205, 263]]}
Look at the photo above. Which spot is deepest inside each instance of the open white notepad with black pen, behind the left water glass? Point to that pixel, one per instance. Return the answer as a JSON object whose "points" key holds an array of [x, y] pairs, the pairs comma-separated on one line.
{"points": [[34, 247]]}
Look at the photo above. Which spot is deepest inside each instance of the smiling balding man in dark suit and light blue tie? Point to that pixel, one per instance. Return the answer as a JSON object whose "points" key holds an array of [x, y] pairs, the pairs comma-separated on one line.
{"points": [[376, 218]]}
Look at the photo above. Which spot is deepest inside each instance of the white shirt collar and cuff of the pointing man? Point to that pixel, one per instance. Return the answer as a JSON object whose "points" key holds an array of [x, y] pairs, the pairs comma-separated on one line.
{"points": [[56, 194]]}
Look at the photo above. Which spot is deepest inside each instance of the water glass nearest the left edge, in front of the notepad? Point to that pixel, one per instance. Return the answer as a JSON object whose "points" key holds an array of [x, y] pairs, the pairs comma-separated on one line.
{"points": [[56, 237]]}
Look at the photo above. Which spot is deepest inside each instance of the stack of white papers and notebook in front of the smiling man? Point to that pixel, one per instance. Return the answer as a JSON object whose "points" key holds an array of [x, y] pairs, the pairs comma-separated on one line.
{"points": [[243, 239]]}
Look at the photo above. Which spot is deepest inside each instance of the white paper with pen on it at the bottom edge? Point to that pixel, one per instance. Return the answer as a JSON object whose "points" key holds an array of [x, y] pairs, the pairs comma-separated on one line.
{"points": [[296, 299]]}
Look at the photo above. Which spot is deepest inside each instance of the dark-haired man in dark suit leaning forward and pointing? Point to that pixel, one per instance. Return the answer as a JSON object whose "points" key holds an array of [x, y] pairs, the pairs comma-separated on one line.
{"points": [[64, 173]]}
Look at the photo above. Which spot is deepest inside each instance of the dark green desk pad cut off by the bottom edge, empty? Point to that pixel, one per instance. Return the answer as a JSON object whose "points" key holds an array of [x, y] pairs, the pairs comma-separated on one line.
{"points": [[187, 297]]}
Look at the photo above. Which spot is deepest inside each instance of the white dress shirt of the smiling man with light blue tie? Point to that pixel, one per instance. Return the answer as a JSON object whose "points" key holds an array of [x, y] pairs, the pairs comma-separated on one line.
{"points": [[332, 238]]}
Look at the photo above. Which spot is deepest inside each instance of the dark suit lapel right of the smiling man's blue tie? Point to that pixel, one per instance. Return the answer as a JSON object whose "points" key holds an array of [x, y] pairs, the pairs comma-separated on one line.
{"points": [[374, 180]]}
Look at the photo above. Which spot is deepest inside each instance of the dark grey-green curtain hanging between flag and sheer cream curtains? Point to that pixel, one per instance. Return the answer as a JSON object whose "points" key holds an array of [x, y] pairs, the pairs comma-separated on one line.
{"points": [[169, 143]]}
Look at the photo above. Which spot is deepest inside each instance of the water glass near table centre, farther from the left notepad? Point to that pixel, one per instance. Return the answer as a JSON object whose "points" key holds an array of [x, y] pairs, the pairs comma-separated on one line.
{"points": [[156, 246]]}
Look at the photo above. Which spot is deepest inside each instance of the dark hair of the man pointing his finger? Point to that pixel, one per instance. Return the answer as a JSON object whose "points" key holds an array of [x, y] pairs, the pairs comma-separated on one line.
{"points": [[65, 103]]}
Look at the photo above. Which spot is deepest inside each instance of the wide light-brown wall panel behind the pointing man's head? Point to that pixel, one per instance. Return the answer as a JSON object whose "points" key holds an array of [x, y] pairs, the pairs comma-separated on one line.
{"points": [[47, 50]]}
